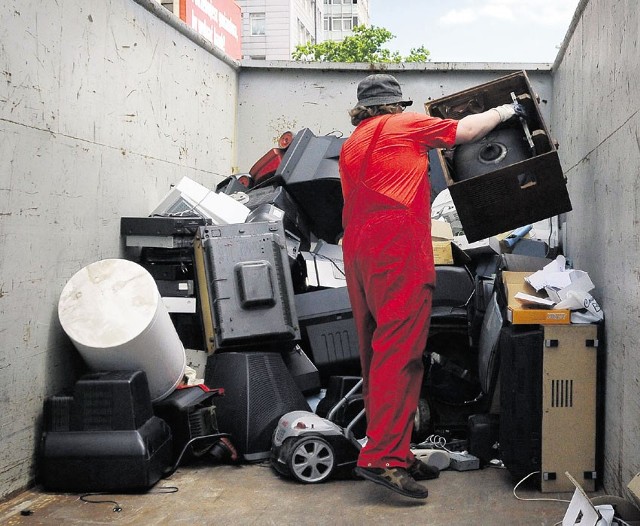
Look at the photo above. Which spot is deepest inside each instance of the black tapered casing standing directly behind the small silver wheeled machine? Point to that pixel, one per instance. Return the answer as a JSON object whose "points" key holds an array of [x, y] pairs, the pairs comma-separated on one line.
{"points": [[258, 390]]}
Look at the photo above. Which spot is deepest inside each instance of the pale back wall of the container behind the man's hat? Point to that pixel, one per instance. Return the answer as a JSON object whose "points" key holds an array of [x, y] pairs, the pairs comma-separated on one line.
{"points": [[275, 97]]}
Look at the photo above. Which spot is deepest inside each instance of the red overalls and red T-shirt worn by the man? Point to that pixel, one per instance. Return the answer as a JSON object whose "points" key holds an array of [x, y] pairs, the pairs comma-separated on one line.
{"points": [[389, 268]]}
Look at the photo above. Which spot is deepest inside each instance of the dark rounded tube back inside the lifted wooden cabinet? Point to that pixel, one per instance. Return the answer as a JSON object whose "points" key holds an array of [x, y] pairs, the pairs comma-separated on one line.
{"points": [[498, 149]]}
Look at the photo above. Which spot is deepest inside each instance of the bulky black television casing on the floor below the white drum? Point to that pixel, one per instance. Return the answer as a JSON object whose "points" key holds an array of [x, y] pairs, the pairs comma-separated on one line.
{"points": [[105, 436]]}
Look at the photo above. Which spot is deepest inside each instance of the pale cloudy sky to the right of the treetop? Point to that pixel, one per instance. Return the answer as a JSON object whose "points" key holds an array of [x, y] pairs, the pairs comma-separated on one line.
{"points": [[476, 30]]}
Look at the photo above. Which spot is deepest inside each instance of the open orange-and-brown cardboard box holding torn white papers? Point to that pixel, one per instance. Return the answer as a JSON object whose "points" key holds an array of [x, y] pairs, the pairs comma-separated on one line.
{"points": [[517, 314]]}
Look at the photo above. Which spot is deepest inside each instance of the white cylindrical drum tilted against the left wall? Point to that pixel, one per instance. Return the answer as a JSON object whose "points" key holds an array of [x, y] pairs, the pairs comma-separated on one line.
{"points": [[115, 317]]}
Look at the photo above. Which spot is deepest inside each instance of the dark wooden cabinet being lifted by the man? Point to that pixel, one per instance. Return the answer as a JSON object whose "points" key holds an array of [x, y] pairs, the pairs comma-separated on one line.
{"points": [[521, 189]]}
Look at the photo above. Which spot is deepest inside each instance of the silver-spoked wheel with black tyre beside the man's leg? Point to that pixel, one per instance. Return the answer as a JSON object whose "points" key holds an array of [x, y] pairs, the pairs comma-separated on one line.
{"points": [[312, 460]]}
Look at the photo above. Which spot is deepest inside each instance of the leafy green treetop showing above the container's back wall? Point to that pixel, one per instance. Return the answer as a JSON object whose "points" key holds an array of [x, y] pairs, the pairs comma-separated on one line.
{"points": [[365, 45]]}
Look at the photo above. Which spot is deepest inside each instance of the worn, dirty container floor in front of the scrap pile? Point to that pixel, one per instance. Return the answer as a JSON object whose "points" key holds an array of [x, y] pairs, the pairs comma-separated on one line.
{"points": [[253, 494]]}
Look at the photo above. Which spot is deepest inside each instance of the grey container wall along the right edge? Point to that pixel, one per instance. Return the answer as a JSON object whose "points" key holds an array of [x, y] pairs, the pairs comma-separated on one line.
{"points": [[596, 101]]}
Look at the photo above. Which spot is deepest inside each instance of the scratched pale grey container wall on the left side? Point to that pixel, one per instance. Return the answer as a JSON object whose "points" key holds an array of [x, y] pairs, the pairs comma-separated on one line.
{"points": [[103, 106]]}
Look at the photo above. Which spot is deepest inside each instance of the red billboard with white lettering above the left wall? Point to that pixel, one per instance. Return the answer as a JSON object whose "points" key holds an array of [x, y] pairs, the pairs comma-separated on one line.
{"points": [[219, 21]]}
